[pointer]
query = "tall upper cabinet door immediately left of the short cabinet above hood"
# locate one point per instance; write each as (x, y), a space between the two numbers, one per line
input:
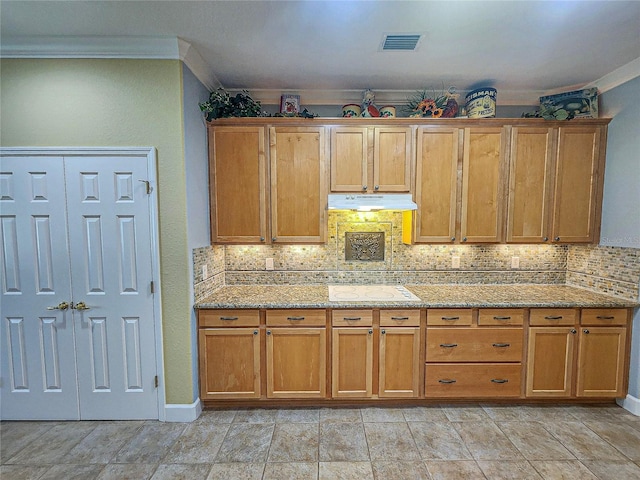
(298, 185)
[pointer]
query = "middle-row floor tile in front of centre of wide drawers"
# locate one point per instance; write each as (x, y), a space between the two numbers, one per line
(486, 441)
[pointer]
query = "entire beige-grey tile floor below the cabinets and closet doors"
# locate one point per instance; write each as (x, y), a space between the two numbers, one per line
(438, 442)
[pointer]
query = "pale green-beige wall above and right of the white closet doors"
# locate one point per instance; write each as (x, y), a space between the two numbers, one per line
(110, 102)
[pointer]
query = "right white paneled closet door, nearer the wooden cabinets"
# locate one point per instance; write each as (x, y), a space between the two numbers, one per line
(111, 268)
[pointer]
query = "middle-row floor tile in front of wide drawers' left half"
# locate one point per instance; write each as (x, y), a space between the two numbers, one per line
(438, 441)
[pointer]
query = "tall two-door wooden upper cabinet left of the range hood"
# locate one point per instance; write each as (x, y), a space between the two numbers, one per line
(274, 196)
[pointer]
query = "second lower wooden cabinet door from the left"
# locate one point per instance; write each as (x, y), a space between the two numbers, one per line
(296, 362)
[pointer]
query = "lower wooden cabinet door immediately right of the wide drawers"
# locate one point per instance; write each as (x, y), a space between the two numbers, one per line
(550, 361)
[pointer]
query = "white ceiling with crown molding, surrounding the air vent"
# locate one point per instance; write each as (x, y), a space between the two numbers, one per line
(522, 48)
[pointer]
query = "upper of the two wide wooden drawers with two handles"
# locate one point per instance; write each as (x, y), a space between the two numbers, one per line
(474, 344)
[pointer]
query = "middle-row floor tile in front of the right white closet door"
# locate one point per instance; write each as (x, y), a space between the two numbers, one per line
(103, 443)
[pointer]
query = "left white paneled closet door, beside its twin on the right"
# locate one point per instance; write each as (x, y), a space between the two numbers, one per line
(38, 354)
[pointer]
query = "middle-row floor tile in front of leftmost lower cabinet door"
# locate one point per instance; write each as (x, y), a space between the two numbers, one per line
(246, 442)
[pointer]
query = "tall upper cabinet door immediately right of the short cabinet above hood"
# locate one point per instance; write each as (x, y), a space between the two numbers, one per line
(436, 185)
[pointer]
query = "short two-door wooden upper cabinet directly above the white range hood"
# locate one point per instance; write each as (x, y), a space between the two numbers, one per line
(371, 159)
